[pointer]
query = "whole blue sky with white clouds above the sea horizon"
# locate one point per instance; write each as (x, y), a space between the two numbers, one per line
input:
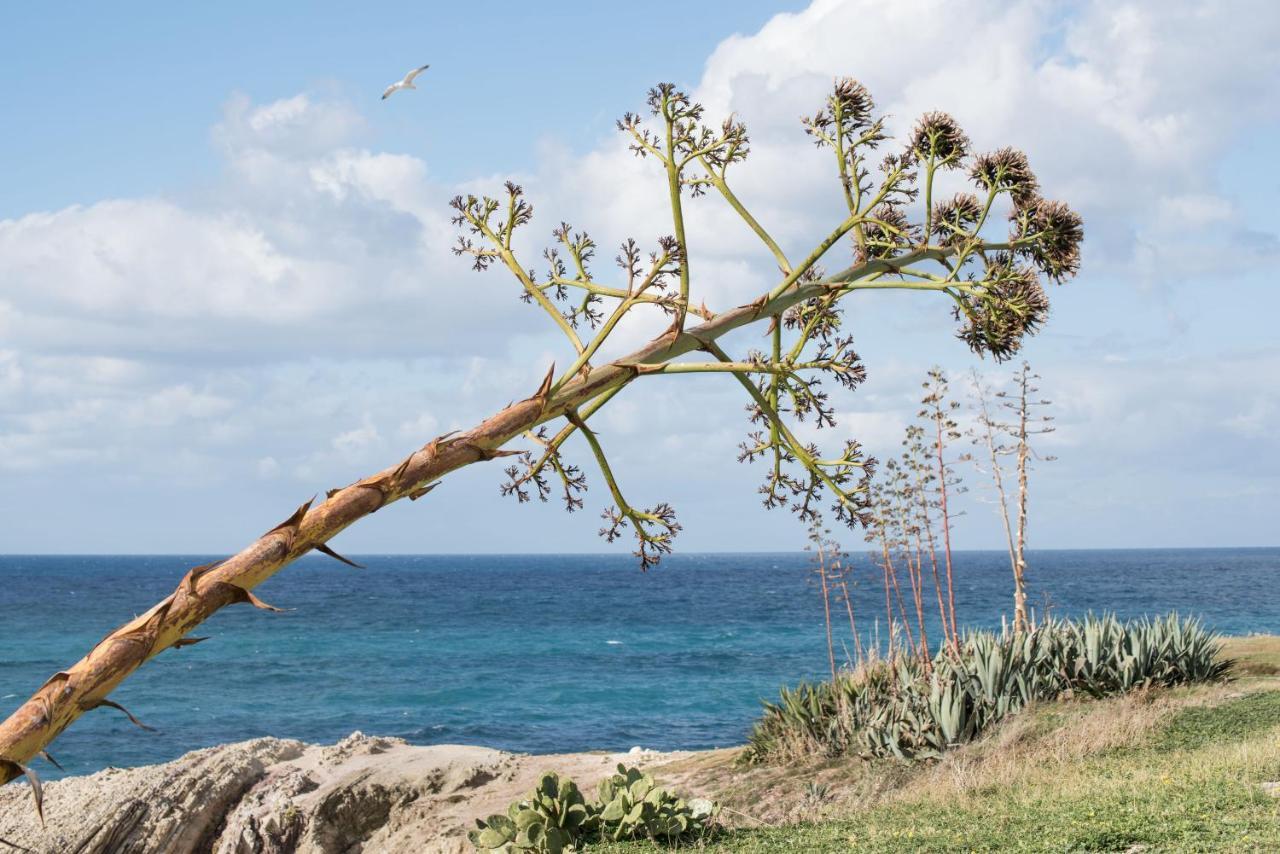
(226, 280)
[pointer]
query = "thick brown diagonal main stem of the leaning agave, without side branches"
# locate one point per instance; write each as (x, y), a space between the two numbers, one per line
(86, 684)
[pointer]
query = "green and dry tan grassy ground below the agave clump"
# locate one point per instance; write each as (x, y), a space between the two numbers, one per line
(1177, 770)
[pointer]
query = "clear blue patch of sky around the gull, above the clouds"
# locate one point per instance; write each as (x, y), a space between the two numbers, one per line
(115, 103)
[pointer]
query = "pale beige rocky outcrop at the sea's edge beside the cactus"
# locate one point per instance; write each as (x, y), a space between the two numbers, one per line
(271, 796)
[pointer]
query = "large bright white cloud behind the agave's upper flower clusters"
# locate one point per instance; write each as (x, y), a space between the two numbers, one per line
(1127, 111)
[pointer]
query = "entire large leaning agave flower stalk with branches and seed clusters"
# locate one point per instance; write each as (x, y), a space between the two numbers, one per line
(991, 275)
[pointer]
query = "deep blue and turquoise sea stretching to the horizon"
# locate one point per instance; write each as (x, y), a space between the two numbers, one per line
(537, 654)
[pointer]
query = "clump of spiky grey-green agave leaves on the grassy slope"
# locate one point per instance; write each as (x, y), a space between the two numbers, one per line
(915, 710)
